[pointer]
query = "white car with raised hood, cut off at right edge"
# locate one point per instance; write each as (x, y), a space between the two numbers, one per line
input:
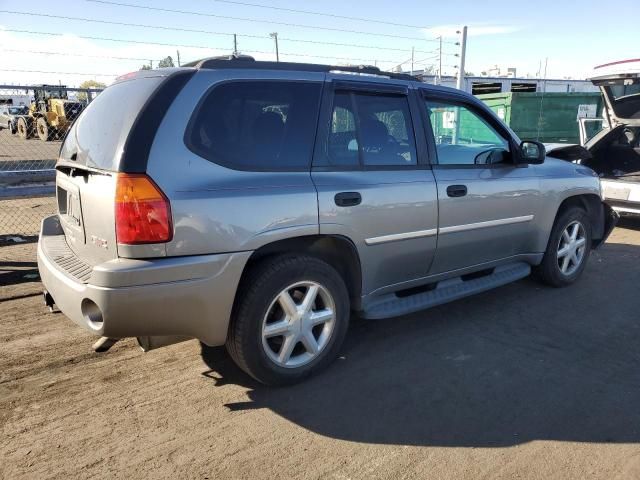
(614, 152)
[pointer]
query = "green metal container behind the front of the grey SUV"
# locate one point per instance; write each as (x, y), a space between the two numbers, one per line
(546, 117)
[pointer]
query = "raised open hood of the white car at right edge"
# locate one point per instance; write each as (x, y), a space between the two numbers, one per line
(620, 86)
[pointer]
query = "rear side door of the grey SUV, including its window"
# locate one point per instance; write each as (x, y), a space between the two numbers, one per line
(374, 184)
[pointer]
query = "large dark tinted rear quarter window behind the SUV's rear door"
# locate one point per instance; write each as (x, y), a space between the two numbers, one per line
(257, 125)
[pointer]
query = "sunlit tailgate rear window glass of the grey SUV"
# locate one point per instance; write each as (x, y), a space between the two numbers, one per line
(99, 134)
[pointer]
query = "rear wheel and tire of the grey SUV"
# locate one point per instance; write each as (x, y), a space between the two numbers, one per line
(260, 329)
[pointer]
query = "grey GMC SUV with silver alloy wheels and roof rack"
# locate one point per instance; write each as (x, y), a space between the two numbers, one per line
(257, 204)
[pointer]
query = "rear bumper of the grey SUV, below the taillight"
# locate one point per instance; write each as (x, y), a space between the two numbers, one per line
(187, 296)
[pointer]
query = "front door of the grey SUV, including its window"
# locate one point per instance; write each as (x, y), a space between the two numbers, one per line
(487, 203)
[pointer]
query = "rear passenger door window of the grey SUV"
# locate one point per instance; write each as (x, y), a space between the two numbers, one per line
(371, 130)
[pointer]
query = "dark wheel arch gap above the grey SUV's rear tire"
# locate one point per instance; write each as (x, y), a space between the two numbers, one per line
(336, 250)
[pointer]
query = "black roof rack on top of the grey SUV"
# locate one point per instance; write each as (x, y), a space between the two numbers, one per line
(246, 61)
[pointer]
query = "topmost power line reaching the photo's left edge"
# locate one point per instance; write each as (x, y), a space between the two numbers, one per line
(208, 32)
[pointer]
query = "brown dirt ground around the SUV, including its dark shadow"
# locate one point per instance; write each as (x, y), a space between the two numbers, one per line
(521, 382)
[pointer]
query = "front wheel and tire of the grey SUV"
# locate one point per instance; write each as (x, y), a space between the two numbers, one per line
(555, 270)
